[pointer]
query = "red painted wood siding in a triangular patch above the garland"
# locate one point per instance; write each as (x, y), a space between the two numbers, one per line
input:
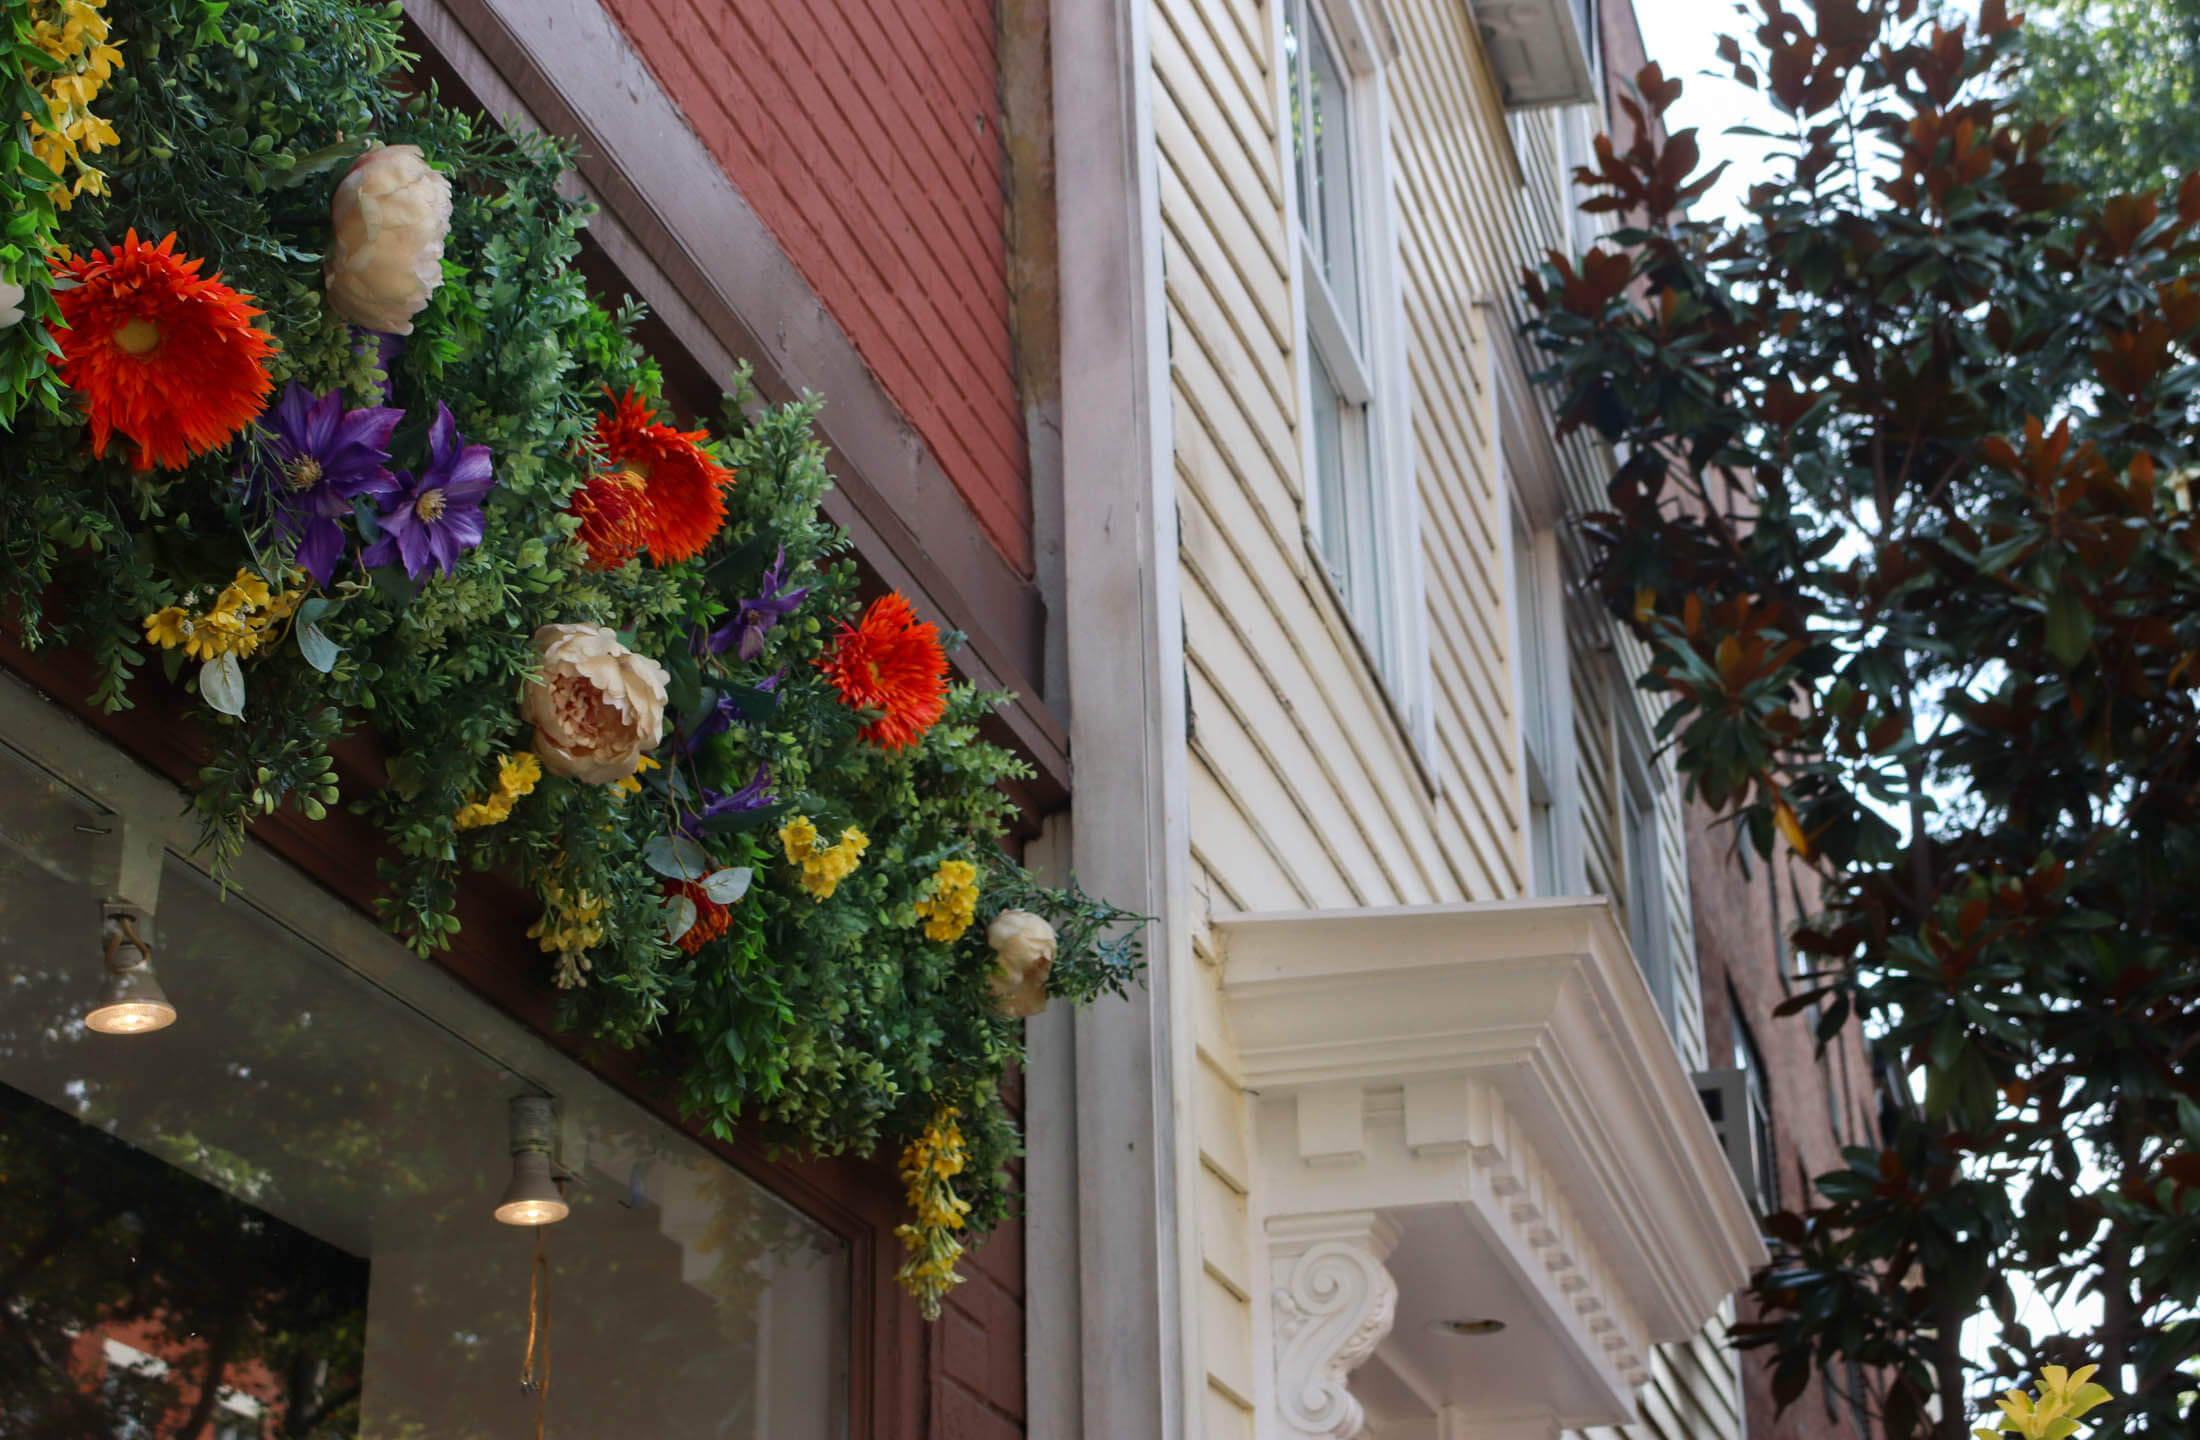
(868, 137)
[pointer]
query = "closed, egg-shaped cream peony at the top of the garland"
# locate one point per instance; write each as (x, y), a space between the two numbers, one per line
(386, 247)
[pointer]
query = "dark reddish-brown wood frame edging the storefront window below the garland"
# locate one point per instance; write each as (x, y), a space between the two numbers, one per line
(859, 1201)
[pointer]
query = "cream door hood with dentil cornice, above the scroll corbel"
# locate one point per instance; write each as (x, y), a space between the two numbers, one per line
(1497, 1085)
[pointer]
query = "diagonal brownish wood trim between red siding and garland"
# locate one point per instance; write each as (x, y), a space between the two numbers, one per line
(892, 496)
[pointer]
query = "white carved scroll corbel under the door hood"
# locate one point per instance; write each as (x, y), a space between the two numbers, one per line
(1334, 1303)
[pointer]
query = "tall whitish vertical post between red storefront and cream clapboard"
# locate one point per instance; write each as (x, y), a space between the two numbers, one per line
(1127, 740)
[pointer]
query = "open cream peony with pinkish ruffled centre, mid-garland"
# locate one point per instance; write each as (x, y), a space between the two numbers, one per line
(597, 707)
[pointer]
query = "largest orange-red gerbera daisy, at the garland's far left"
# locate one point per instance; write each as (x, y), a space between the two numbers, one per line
(159, 353)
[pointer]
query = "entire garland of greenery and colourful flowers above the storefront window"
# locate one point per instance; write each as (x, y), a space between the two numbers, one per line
(335, 439)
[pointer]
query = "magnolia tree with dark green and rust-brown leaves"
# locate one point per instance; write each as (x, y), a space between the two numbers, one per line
(1904, 516)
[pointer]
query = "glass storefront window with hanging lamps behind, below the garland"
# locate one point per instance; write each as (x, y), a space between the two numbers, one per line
(274, 1219)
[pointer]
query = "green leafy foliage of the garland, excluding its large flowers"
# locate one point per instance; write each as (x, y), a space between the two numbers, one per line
(835, 1017)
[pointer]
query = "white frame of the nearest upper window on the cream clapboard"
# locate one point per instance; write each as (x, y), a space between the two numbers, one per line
(1383, 610)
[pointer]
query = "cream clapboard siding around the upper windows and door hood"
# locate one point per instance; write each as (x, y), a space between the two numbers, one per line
(1303, 786)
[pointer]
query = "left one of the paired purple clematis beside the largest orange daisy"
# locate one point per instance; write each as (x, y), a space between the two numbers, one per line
(316, 461)
